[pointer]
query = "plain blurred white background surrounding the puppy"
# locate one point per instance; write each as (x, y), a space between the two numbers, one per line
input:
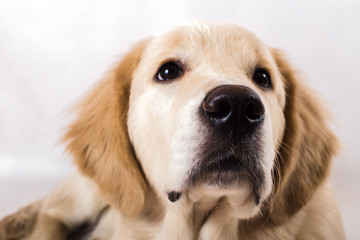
(52, 51)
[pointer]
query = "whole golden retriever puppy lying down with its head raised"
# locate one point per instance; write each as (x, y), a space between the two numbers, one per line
(201, 133)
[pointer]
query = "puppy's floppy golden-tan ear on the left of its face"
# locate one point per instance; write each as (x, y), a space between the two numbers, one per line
(98, 139)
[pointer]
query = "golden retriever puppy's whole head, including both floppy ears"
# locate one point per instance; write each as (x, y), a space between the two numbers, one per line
(204, 111)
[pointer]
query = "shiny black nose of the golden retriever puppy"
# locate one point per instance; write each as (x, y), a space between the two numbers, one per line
(233, 109)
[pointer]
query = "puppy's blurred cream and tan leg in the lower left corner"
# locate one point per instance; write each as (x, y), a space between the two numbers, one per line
(74, 202)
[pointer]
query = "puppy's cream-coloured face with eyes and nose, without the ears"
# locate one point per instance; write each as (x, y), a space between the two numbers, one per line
(206, 114)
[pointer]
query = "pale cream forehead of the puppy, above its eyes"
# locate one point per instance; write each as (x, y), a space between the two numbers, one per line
(215, 43)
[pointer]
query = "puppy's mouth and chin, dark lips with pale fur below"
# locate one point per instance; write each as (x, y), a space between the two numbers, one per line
(227, 180)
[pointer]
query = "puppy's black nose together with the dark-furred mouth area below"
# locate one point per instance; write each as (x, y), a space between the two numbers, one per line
(232, 148)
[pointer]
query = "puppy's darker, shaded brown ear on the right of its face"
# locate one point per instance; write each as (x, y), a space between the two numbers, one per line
(307, 147)
